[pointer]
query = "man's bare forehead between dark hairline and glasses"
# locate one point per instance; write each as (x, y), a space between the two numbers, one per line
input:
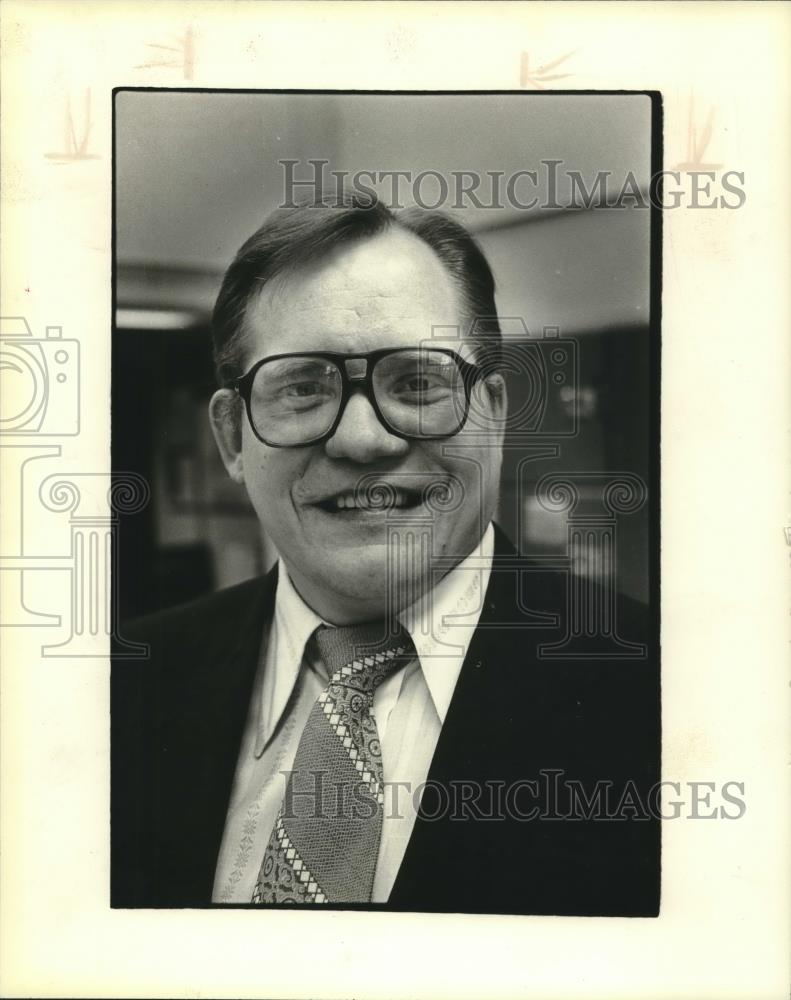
(387, 291)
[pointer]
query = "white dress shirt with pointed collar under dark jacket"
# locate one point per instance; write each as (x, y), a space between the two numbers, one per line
(409, 708)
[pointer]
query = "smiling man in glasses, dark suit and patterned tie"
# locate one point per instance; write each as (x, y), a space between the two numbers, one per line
(376, 722)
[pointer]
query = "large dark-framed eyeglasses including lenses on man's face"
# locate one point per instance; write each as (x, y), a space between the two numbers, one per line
(299, 399)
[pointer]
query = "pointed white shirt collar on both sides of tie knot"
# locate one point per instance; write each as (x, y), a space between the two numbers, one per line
(441, 625)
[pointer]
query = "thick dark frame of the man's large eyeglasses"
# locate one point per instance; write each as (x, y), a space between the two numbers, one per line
(363, 382)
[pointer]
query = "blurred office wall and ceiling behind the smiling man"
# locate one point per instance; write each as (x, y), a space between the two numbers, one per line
(196, 173)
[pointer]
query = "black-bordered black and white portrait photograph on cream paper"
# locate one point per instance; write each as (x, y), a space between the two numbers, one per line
(389, 626)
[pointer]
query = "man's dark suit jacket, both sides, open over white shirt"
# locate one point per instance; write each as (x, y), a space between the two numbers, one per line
(520, 712)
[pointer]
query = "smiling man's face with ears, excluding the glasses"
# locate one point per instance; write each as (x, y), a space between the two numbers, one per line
(387, 291)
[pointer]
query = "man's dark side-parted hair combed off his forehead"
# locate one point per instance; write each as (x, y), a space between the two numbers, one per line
(296, 235)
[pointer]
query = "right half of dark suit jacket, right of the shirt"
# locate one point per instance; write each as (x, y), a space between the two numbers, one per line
(517, 718)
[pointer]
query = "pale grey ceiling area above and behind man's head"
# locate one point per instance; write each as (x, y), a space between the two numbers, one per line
(197, 172)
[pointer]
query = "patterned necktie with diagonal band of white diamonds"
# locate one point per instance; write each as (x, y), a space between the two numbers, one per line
(325, 842)
